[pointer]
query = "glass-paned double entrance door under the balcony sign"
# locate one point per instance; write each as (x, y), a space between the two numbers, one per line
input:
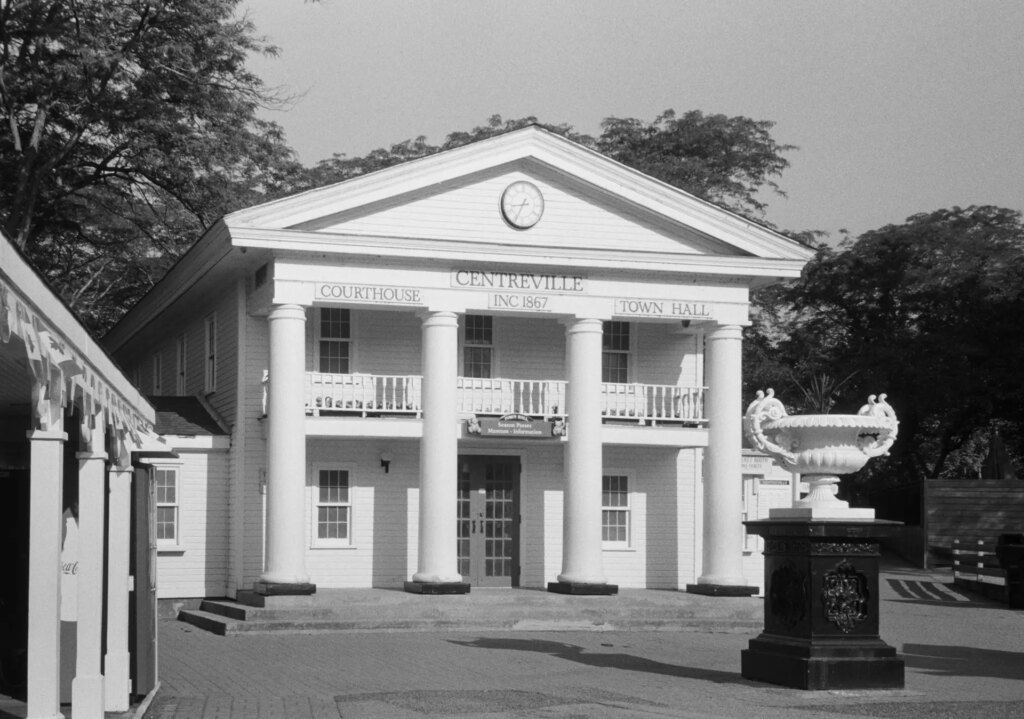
(489, 521)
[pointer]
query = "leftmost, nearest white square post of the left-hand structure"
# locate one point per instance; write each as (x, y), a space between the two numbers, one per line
(47, 495)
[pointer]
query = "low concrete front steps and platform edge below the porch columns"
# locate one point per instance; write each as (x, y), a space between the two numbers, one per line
(484, 610)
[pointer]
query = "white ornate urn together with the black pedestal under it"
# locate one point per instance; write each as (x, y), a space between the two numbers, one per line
(822, 557)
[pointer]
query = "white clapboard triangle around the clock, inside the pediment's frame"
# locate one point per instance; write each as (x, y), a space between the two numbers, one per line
(571, 221)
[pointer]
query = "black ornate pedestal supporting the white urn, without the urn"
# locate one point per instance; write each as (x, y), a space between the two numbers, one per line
(822, 608)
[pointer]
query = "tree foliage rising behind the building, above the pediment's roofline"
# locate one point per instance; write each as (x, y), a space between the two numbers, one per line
(724, 160)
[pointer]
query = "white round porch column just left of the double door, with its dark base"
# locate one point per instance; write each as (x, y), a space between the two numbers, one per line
(438, 567)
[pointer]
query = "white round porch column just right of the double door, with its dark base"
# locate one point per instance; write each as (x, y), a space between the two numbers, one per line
(582, 573)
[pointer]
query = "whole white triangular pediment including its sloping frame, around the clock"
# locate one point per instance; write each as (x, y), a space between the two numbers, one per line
(590, 202)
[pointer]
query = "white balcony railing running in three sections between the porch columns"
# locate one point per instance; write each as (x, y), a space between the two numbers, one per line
(401, 395)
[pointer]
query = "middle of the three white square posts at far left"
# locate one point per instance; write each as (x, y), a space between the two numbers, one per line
(88, 688)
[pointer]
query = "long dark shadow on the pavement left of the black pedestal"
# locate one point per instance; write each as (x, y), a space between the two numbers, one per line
(573, 653)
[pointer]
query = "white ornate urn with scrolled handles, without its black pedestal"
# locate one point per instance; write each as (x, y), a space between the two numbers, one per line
(821, 448)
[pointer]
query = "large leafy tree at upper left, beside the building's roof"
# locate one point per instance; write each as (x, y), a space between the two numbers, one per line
(130, 126)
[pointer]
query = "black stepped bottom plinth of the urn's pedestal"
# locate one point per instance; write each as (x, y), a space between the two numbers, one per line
(859, 665)
